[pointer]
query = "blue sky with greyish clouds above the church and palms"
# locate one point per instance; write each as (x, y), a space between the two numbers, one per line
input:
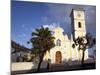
(27, 16)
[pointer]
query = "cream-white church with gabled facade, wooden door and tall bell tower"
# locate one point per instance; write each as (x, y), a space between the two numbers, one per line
(63, 50)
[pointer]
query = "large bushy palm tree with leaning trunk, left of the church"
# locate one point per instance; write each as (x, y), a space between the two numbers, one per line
(42, 41)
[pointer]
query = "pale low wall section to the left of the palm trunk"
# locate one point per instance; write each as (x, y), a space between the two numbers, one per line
(18, 66)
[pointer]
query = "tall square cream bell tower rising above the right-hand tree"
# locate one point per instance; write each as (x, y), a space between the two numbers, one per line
(78, 23)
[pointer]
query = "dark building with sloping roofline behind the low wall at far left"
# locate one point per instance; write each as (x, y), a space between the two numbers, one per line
(18, 52)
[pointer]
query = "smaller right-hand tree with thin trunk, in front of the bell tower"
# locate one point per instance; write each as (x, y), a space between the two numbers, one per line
(83, 43)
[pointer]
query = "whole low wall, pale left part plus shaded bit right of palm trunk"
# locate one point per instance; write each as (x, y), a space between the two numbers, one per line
(18, 66)
